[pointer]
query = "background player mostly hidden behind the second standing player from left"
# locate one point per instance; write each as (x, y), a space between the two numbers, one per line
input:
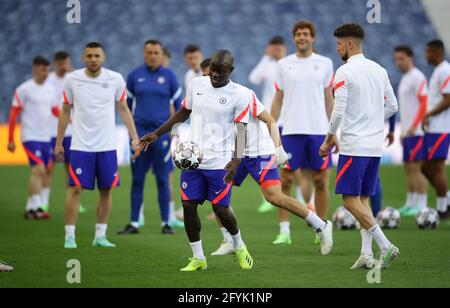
(62, 66)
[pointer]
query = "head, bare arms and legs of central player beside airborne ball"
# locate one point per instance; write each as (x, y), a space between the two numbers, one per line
(221, 67)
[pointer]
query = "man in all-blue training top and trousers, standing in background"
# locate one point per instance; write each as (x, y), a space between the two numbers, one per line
(152, 89)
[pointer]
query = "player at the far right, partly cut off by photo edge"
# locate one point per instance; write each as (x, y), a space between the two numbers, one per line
(436, 124)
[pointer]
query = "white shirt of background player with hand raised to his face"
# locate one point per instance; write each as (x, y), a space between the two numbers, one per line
(264, 74)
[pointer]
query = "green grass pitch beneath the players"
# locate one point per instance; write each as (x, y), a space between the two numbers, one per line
(153, 260)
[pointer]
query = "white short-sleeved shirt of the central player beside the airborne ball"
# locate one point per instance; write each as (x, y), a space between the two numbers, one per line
(214, 114)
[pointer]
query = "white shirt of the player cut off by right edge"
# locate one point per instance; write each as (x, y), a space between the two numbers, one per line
(439, 85)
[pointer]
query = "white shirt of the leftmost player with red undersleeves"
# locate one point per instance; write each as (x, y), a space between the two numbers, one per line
(36, 102)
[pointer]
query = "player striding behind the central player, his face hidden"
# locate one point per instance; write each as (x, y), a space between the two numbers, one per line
(261, 159)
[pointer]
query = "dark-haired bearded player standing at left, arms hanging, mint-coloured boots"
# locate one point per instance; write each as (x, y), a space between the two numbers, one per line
(92, 94)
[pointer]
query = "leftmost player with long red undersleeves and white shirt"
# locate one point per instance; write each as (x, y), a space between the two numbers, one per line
(36, 100)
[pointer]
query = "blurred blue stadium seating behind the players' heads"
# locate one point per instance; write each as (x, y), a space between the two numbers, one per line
(40, 27)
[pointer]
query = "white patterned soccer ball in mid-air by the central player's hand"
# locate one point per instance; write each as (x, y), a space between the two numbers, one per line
(187, 156)
